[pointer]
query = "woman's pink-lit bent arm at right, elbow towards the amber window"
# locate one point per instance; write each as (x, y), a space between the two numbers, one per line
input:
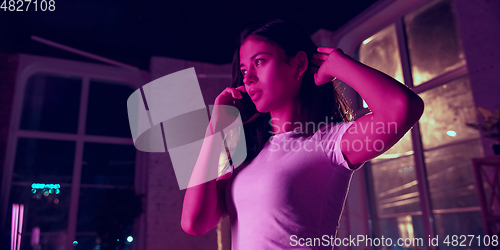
(394, 107)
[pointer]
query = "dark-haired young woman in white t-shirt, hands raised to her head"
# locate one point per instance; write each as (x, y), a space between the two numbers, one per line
(302, 145)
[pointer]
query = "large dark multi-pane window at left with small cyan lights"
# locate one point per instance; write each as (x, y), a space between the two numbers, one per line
(73, 154)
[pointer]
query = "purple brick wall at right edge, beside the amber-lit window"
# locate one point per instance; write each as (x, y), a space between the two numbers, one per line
(479, 26)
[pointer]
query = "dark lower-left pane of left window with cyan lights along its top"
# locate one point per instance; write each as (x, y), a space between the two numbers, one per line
(47, 211)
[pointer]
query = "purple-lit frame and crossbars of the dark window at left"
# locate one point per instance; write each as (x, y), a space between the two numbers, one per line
(29, 65)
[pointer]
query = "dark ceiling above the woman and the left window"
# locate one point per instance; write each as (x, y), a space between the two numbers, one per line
(132, 31)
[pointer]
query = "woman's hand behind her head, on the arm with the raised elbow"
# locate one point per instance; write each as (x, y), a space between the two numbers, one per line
(326, 64)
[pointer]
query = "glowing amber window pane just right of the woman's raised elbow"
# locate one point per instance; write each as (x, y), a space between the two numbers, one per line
(447, 109)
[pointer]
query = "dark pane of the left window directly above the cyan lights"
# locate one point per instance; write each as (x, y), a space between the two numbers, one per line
(46, 161)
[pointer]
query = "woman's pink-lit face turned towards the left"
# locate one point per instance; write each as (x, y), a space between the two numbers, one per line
(269, 80)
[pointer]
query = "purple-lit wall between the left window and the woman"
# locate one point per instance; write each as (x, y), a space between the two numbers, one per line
(164, 199)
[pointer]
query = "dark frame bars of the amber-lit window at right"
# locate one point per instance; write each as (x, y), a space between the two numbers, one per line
(349, 37)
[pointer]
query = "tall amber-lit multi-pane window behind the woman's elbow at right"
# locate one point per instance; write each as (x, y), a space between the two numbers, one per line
(437, 73)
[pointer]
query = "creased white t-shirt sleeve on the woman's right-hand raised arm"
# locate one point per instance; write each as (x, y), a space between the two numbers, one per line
(331, 140)
